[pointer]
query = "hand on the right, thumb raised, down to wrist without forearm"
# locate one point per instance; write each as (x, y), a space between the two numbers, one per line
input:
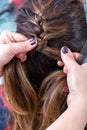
(76, 76)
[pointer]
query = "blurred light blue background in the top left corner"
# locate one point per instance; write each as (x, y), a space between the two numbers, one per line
(7, 14)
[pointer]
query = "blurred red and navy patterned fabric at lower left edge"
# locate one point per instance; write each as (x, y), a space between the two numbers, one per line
(5, 114)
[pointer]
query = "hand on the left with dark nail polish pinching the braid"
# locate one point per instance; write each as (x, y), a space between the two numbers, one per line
(14, 44)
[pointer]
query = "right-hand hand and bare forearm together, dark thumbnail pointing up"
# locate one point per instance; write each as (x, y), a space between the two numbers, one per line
(75, 117)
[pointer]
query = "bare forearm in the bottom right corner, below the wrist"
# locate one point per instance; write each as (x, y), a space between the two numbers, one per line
(74, 118)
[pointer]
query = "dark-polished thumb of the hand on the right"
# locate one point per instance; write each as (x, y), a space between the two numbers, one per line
(68, 58)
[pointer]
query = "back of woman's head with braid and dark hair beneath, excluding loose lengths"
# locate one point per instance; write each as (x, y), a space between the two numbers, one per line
(54, 23)
